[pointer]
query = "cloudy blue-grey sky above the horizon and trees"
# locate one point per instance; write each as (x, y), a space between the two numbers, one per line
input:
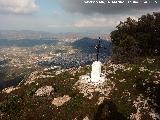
(60, 16)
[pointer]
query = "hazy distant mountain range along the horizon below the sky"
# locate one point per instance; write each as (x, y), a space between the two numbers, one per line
(28, 34)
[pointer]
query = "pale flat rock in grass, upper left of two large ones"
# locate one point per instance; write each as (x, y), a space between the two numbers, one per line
(45, 90)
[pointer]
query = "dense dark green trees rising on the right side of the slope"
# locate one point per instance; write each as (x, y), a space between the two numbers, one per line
(136, 38)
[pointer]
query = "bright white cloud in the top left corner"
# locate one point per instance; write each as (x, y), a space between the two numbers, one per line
(18, 6)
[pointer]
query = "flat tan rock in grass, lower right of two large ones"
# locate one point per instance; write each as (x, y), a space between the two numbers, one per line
(61, 100)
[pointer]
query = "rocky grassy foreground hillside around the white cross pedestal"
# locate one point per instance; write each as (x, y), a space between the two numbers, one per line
(131, 91)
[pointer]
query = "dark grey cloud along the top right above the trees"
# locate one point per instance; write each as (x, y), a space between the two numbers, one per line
(79, 6)
